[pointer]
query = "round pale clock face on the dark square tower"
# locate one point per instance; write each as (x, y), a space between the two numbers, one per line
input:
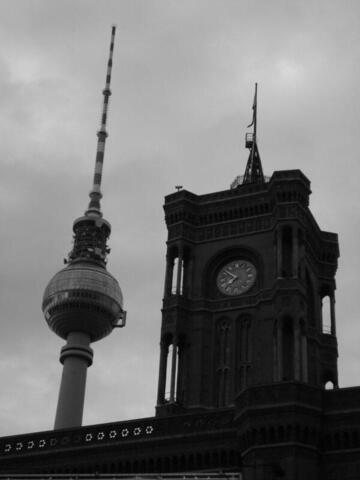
(236, 277)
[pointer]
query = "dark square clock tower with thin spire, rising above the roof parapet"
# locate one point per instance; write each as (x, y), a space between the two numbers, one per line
(249, 295)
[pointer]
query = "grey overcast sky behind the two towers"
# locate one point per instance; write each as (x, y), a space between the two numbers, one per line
(183, 83)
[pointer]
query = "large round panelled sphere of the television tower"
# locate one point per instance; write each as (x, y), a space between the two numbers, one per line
(83, 297)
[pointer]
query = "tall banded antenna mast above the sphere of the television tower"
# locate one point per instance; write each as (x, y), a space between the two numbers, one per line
(94, 208)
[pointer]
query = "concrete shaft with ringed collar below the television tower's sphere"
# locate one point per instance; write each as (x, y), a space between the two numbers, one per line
(76, 356)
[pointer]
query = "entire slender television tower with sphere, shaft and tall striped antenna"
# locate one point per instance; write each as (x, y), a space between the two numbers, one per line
(83, 302)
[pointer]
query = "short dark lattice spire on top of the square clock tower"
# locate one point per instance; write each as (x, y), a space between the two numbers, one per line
(253, 171)
